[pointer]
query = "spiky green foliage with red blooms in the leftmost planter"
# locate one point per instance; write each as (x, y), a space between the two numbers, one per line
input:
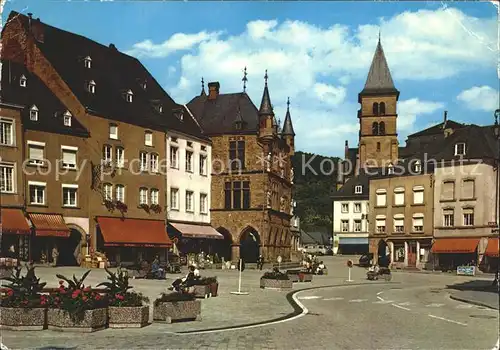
(24, 291)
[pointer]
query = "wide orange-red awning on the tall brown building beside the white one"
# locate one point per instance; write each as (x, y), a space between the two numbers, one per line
(118, 232)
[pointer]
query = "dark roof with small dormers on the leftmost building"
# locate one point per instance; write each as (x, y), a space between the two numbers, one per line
(50, 109)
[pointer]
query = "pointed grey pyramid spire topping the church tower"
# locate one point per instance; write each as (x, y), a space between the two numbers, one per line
(379, 77)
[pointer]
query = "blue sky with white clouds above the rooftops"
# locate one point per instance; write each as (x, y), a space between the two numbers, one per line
(442, 55)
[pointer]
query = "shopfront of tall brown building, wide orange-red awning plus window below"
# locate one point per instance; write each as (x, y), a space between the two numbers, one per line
(132, 240)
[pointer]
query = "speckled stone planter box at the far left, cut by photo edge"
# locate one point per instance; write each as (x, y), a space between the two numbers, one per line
(21, 319)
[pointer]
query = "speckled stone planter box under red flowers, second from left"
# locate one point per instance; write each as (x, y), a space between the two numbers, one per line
(93, 320)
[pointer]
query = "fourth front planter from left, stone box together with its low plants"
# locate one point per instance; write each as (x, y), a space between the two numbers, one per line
(176, 307)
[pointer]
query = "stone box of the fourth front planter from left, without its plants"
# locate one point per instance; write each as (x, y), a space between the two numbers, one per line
(177, 311)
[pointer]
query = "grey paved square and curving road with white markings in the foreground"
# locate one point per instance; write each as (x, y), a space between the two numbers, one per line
(413, 311)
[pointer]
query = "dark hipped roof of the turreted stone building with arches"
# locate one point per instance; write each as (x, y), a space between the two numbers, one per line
(218, 116)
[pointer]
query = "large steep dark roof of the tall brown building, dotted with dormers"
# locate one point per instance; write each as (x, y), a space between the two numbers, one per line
(114, 73)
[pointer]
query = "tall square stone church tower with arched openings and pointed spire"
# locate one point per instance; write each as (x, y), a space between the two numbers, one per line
(378, 139)
